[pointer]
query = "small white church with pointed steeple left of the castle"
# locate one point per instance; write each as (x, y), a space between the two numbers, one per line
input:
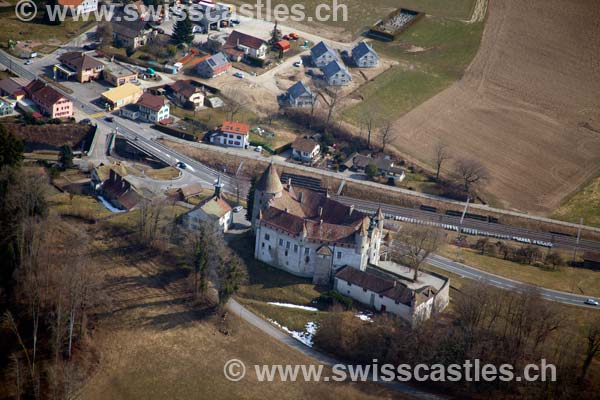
(214, 210)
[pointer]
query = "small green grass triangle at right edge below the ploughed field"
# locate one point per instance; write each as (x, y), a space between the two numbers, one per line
(584, 204)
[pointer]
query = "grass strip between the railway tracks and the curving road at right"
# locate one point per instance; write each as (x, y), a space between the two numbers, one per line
(568, 279)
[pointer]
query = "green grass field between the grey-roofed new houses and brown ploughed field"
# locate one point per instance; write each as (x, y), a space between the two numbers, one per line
(433, 54)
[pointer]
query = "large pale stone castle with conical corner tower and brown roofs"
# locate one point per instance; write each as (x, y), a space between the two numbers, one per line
(308, 234)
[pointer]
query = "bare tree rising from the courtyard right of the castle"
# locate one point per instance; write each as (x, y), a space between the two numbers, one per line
(415, 243)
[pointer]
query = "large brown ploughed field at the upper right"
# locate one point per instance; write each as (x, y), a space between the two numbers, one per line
(528, 106)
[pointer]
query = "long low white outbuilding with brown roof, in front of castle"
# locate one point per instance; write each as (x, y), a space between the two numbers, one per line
(386, 292)
